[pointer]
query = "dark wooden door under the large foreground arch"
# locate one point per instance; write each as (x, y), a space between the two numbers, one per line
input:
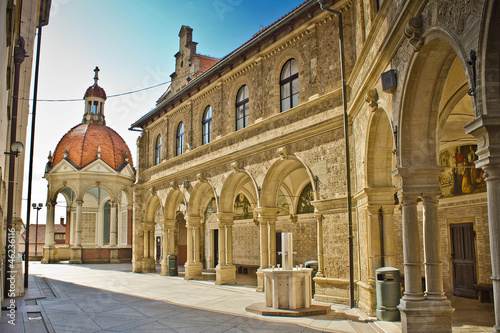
(463, 259)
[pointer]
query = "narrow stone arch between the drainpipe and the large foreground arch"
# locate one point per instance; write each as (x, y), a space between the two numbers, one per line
(379, 154)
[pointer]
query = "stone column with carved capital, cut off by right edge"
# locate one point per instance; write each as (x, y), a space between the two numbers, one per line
(487, 131)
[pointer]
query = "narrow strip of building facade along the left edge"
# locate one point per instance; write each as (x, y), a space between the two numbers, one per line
(20, 20)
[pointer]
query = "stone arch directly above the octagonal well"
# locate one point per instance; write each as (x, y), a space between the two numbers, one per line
(279, 172)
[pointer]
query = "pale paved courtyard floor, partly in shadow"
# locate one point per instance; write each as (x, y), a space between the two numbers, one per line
(110, 298)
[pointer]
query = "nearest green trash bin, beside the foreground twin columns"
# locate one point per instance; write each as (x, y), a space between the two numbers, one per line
(388, 291)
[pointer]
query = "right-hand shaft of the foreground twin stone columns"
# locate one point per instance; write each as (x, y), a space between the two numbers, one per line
(432, 250)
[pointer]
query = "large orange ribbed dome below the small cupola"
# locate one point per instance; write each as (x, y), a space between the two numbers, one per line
(81, 145)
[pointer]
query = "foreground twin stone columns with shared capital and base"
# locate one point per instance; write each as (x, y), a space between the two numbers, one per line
(432, 312)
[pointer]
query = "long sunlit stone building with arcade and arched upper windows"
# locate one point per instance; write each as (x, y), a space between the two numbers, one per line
(263, 129)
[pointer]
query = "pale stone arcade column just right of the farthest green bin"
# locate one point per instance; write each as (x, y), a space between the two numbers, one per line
(193, 266)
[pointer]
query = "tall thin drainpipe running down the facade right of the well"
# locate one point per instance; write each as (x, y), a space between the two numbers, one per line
(347, 154)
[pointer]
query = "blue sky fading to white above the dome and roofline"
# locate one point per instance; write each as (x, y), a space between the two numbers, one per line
(133, 43)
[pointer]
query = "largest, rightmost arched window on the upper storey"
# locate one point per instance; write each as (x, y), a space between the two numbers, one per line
(289, 85)
